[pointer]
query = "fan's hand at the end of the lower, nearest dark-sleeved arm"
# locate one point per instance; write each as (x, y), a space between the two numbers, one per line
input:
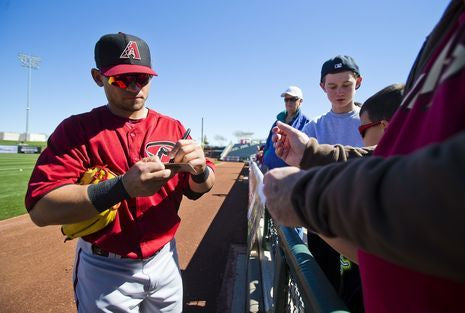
(278, 186)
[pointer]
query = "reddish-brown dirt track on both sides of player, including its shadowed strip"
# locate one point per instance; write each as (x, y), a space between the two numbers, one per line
(36, 266)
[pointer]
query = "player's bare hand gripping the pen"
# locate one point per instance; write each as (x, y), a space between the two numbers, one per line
(189, 151)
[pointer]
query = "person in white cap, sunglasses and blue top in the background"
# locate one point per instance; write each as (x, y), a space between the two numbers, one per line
(292, 115)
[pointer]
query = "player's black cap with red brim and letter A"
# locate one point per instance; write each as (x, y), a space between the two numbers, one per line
(121, 53)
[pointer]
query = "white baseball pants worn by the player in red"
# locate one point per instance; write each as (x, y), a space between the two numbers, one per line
(114, 284)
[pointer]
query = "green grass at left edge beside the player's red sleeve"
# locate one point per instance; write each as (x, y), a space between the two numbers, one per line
(15, 171)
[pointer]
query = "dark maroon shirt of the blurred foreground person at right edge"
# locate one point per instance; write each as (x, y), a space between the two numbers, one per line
(432, 111)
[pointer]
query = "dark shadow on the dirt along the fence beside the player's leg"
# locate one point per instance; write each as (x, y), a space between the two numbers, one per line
(203, 276)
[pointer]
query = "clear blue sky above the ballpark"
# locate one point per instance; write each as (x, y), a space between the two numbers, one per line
(225, 61)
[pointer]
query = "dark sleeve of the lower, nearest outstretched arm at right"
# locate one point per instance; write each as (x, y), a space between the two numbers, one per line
(398, 211)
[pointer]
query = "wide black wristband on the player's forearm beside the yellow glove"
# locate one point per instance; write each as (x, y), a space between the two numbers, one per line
(107, 193)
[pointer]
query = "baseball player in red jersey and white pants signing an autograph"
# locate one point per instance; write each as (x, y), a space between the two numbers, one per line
(131, 264)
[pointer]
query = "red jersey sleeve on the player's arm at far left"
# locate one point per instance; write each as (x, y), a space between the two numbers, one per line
(61, 163)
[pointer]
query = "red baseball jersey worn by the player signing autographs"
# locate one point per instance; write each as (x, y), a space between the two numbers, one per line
(143, 225)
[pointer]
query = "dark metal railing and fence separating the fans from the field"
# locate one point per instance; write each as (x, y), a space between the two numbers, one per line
(290, 278)
